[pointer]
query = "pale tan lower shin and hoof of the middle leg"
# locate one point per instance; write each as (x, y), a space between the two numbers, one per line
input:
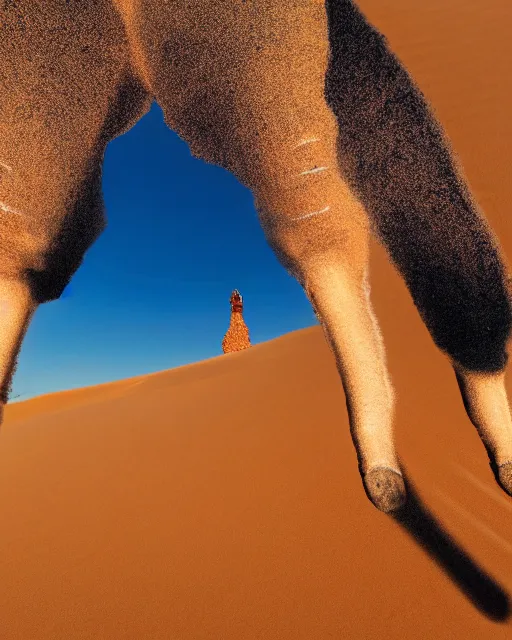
(342, 303)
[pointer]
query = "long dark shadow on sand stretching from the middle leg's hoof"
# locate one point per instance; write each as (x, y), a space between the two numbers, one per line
(485, 593)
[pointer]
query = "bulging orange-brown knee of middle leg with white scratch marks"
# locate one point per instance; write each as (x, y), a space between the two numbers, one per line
(309, 215)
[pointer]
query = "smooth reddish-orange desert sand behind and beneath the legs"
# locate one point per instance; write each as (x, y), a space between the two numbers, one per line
(222, 500)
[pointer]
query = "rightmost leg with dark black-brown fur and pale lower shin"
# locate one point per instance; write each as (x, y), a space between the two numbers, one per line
(397, 160)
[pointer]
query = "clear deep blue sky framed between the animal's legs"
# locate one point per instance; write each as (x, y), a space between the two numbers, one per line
(153, 292)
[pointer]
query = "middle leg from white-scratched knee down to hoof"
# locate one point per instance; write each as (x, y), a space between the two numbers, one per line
(320, 233)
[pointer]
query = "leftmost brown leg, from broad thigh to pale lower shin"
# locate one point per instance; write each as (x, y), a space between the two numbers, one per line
(57, 114)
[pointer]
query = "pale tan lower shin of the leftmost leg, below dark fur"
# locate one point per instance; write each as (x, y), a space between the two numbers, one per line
(16, 310)
